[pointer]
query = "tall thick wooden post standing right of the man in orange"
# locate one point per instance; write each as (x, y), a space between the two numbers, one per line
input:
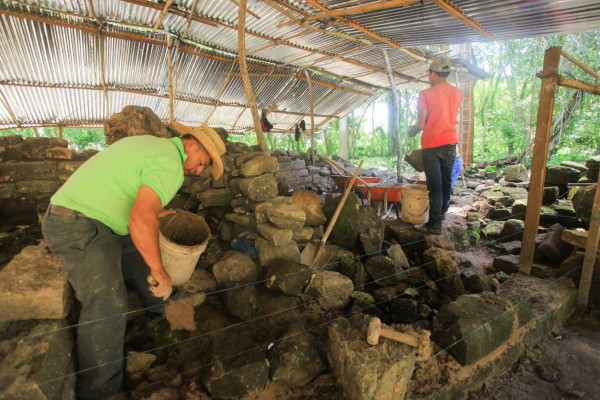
(540, 156)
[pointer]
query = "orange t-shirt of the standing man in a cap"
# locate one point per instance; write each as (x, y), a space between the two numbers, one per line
(441, 102)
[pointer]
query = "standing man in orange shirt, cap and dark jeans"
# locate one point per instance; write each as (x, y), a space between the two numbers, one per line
(437, 110)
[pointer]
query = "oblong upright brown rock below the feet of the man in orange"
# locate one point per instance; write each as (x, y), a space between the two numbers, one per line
(442, 266)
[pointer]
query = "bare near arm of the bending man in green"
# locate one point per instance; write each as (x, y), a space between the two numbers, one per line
(143, 227)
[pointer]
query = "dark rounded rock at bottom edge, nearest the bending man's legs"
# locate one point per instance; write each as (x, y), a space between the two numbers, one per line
(235, 366)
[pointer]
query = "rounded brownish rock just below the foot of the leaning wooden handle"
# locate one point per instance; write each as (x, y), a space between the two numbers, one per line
(332, 290)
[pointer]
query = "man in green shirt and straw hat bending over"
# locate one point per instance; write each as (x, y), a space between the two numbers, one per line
(103, 223)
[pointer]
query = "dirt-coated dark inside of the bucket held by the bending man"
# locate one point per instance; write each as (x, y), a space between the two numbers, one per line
(184, 228)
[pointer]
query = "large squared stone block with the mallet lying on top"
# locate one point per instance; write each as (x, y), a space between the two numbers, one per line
(351, 360)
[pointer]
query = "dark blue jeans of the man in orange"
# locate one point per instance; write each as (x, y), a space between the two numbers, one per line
(438, 163)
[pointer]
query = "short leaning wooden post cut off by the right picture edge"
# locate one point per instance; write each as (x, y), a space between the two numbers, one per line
(590, 252)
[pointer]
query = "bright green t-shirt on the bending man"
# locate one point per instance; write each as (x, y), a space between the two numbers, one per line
(105, 186)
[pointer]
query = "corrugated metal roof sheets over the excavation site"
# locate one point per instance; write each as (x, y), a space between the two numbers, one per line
(62, 59)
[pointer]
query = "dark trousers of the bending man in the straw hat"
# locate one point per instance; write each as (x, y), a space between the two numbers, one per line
(98, 263)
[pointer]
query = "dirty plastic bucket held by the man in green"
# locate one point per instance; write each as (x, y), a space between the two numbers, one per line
(183, 237)
